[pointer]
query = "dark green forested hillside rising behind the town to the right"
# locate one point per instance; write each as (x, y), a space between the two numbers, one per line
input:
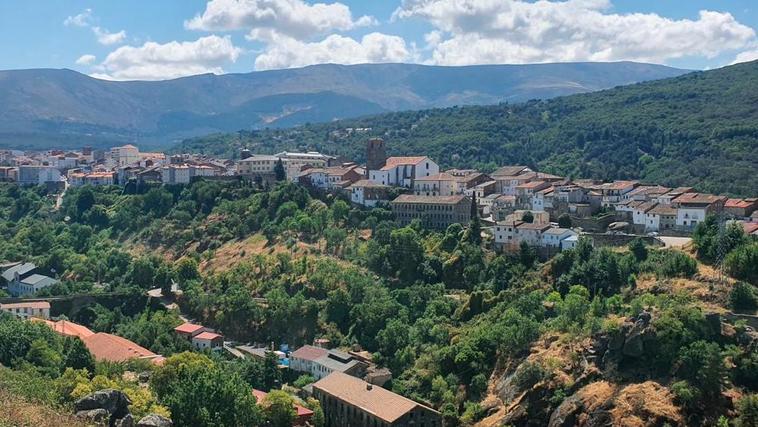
(700, 130)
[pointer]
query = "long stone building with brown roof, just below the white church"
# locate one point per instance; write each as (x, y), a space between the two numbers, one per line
(436, 212)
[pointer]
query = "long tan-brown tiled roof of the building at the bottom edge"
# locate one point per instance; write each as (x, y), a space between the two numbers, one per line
(375, 400)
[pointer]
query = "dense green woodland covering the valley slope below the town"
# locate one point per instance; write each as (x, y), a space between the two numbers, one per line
(449, 316)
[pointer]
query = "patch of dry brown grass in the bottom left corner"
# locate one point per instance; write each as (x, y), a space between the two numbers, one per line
(20, 413)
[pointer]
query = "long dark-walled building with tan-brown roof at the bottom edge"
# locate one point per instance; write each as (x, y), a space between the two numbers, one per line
(350, 402)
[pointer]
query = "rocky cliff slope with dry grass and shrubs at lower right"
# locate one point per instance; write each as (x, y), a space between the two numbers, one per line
(599, 381)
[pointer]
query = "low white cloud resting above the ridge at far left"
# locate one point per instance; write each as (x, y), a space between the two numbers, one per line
(154, 61)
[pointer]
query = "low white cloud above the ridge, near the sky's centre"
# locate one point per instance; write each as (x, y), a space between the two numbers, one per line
(287, 52)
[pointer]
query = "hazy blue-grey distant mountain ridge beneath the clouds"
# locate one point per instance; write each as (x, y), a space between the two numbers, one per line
(46, 107)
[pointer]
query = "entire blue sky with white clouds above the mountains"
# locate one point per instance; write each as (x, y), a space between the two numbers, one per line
(163, 39)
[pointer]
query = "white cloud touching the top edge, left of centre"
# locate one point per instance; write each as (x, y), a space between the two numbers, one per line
(293, 18)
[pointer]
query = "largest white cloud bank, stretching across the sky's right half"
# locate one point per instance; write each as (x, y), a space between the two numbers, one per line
(514, 31)
